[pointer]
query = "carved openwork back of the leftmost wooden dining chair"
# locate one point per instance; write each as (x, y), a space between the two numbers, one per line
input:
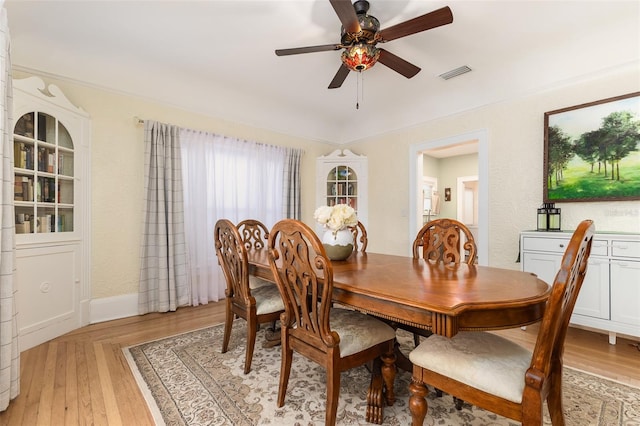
(232, 256)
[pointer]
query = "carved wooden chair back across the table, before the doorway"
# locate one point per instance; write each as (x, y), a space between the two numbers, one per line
(440, 242)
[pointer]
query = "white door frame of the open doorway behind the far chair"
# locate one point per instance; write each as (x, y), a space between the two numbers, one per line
(453, 144)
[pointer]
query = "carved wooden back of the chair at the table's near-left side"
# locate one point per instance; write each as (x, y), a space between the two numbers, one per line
(305, 279)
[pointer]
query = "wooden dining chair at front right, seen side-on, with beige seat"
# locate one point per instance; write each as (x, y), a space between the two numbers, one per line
(494, 373)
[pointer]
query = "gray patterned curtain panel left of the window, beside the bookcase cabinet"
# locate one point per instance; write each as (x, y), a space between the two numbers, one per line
(163, 266)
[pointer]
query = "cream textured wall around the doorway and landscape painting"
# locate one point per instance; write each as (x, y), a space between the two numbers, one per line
(515, 132)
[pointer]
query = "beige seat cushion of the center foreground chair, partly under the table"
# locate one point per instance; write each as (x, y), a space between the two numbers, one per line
(358, 331)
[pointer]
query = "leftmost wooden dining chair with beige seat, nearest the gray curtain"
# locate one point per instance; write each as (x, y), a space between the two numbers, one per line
(255, 305)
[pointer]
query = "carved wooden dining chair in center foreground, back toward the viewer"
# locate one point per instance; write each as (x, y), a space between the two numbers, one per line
(337, 339)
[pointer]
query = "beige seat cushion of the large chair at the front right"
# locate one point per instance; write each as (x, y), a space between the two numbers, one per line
(483, 360)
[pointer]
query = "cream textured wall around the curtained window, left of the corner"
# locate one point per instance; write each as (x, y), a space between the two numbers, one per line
(117, 175)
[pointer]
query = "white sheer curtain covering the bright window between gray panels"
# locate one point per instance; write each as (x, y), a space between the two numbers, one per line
(231, 179)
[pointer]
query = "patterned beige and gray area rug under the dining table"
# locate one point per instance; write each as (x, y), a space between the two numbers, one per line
(187, 381)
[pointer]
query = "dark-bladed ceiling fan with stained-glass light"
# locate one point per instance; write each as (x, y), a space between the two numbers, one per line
(361, 33)
